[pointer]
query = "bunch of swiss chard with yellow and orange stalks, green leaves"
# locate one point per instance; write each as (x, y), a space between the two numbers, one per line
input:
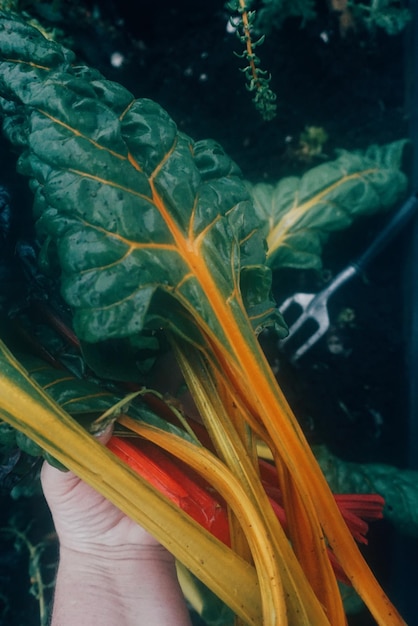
(156, 239)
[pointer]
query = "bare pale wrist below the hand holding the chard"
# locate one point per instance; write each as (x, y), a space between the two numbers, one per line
(118, 586)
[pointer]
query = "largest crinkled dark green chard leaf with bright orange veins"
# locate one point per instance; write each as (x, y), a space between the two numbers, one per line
(126, 199)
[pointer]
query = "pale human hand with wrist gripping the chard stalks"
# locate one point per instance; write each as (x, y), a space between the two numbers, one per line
(111, 570)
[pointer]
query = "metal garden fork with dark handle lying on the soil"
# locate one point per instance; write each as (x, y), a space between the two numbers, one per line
(314, 307)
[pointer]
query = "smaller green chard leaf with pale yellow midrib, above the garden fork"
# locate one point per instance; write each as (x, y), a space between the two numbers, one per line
(299, 214)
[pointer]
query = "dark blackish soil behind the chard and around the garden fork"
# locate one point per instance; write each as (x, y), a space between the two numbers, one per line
(357, 88)
